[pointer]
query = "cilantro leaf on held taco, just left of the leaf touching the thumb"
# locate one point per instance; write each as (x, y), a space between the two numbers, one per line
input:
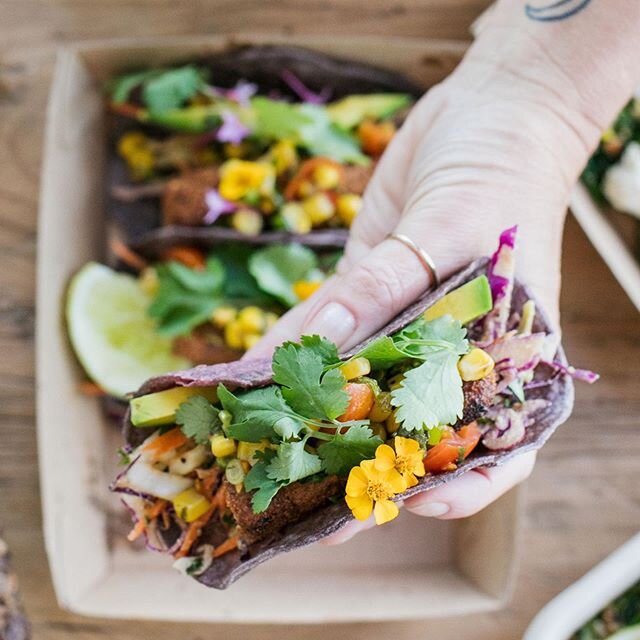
(259, 413)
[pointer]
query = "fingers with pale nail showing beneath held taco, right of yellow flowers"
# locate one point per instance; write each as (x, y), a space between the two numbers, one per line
(472, 492)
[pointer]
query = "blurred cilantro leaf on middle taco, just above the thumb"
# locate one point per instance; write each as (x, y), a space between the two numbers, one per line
(278, 267)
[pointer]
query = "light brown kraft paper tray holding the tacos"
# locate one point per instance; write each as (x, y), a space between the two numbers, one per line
(411, 568)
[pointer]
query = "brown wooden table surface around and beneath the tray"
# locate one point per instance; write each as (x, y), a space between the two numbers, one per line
(584, 496)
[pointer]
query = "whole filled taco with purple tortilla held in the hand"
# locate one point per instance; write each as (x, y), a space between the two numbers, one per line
(233, 464)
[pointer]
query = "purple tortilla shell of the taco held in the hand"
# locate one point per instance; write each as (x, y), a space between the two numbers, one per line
(556, 388)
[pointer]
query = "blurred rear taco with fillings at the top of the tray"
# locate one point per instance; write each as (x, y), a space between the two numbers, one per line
(258, 143)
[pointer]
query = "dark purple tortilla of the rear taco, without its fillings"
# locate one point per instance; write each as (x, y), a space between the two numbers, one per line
(138, 222)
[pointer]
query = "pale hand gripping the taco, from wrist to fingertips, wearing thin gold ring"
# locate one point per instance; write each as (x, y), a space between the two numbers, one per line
(471, 160)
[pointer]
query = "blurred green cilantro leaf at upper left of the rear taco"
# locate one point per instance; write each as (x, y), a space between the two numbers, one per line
(170, 89)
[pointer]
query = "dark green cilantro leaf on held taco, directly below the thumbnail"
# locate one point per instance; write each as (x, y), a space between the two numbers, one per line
(308, 392)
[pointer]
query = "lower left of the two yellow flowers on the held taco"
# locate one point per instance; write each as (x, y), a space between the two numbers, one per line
(366, 487)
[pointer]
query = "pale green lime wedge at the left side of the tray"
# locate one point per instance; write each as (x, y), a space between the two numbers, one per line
(111, 333)
